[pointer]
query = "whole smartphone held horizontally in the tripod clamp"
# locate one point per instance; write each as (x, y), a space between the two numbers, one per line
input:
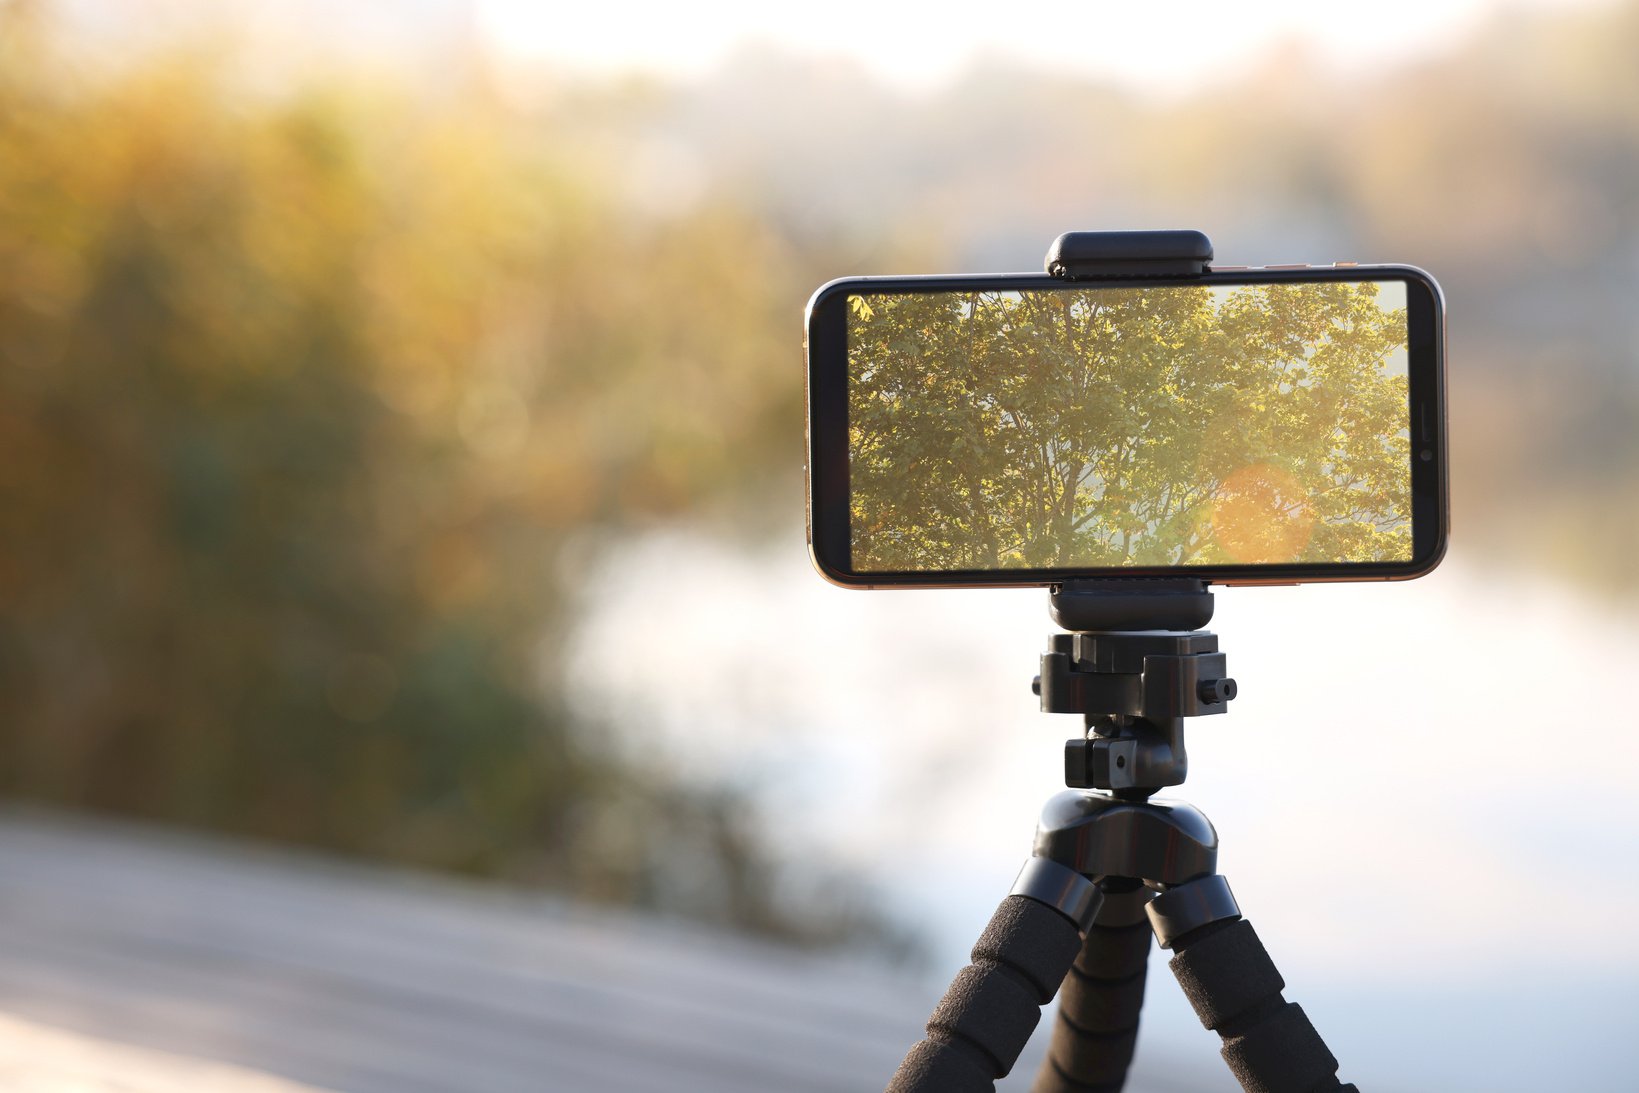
(1240, 427)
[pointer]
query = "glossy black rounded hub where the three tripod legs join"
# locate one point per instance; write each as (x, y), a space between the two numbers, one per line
(1156, 841)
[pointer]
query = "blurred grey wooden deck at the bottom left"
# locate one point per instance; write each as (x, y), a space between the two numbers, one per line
(135, 961)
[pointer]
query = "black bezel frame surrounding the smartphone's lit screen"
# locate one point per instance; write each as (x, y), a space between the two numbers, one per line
(830, 543)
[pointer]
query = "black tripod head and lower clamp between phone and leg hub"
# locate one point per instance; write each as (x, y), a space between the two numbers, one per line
(1135, 666)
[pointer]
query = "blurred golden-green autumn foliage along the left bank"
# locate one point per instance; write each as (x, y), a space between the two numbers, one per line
(301, 402)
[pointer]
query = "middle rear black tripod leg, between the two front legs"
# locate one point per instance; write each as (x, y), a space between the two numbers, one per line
(1099, 1004)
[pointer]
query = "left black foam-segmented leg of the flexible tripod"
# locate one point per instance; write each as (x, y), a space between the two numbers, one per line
(981, 1027)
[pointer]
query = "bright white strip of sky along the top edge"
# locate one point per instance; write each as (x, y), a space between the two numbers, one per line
(1171, 43)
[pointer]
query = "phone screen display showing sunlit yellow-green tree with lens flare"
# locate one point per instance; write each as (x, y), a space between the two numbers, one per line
(1171, 425)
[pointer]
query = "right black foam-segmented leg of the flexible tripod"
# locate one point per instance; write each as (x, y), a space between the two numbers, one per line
(1235, 989)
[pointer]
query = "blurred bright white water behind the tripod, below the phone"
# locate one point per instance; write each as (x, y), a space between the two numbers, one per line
(1423, 791)
